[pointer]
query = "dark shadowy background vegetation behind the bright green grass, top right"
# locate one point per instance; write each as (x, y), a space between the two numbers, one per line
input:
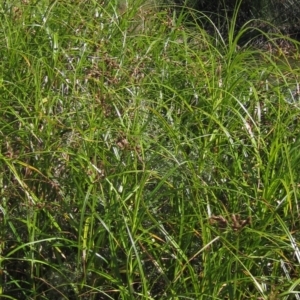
(284, 14)
